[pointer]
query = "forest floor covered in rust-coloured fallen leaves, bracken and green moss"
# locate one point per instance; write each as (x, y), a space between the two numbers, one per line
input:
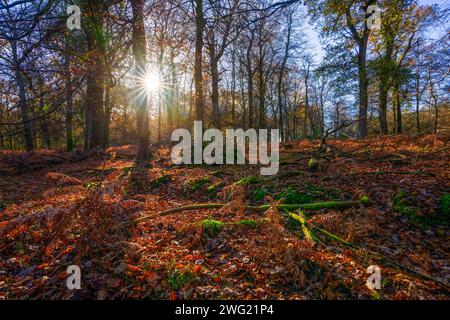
(81, 213)
